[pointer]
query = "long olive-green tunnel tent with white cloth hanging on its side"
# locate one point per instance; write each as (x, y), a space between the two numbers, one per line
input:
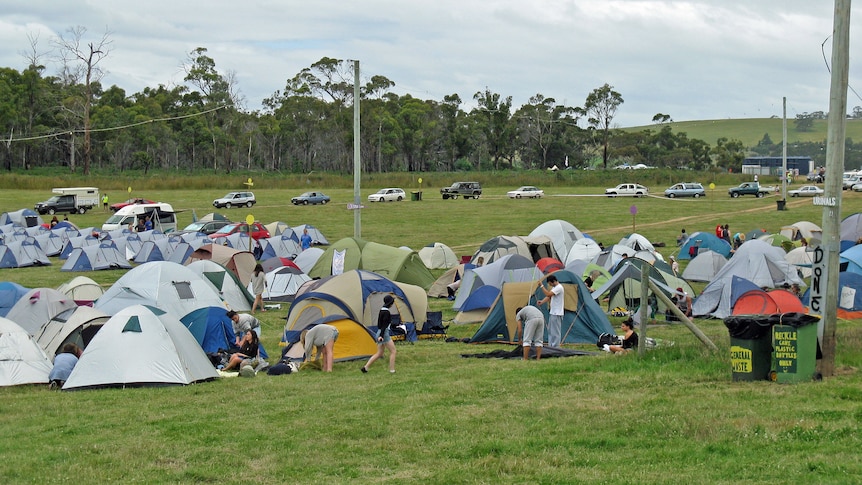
(394, 263)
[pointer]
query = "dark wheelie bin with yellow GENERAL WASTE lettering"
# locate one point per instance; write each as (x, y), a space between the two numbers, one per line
(750, 347)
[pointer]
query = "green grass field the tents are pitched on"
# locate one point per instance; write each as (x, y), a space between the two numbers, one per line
(673, 416)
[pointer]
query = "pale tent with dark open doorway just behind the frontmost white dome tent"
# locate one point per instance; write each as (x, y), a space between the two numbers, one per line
(76, 325)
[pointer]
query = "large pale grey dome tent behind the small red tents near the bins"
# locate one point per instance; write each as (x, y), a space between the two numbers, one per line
(756, 261)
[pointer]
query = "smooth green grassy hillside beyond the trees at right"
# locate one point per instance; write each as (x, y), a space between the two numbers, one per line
(751, 130)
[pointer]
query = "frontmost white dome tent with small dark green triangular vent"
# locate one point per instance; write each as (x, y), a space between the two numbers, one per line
(141, 346)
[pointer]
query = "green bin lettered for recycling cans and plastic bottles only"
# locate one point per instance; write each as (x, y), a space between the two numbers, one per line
(794, 348)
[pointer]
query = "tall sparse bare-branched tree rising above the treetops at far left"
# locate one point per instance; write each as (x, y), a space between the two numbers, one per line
(80, 69)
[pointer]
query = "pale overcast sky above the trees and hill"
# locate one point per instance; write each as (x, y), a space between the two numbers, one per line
(693, 60)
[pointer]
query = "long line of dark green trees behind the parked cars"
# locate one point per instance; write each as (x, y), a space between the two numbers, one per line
(70, 120)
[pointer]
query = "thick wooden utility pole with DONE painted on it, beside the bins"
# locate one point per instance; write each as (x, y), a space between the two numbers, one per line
(831, 201)
